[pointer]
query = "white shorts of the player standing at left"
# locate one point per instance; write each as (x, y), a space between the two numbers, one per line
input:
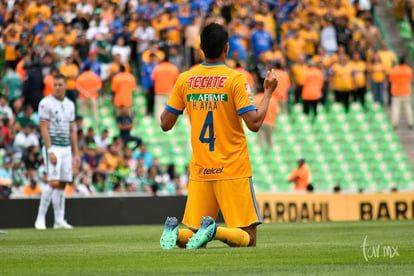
(62, 170)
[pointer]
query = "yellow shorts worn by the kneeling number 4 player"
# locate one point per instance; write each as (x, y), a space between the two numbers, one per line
(234, 197)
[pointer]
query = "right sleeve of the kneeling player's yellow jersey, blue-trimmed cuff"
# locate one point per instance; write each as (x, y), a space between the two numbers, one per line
(242, 94)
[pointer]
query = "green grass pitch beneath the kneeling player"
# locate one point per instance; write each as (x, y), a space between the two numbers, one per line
(321, 248)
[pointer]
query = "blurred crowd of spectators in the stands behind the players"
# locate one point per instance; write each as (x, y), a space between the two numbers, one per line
(109, 37)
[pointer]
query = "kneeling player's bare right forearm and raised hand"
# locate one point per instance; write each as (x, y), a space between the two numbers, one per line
(254, 118)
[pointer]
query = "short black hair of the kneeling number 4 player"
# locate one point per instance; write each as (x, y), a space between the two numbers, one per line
(213, 39)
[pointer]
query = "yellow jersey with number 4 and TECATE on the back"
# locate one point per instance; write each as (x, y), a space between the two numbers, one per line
(215, 96)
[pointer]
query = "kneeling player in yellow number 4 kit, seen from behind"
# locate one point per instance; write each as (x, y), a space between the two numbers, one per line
(216, 98)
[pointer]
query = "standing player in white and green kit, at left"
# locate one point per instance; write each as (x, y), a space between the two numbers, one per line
(57, 128)
